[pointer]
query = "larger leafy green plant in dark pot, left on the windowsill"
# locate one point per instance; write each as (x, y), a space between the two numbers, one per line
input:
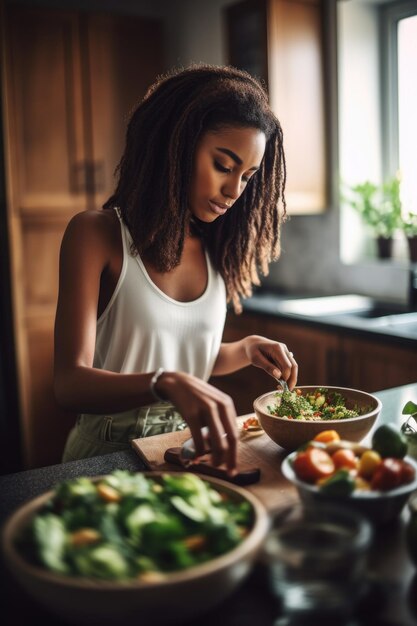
(380, 210)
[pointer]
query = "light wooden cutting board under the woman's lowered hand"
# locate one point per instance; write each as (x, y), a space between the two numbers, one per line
(254, 450)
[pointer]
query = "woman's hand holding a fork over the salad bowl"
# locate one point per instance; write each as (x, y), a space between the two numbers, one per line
(272, 356)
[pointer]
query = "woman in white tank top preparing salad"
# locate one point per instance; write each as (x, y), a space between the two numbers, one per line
(144, 282)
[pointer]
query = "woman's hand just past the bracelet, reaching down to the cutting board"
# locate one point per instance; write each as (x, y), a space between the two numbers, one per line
(201, 404)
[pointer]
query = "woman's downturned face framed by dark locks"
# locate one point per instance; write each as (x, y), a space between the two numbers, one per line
(224, 162)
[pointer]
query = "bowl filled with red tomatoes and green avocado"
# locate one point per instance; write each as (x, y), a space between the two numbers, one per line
(377, 481)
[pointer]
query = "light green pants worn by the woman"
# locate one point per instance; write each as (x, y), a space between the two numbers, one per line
(94, 435)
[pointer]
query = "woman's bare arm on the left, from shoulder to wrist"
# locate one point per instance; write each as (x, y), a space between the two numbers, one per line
(85, 255)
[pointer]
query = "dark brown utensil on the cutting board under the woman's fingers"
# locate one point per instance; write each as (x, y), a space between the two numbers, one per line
(245, 476)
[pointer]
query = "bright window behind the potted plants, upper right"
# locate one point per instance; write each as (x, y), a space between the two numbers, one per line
(377, 86)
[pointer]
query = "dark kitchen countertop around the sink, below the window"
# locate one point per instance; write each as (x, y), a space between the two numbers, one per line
(275, 305)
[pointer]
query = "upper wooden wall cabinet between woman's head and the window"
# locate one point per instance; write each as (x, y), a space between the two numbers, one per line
(283, 43)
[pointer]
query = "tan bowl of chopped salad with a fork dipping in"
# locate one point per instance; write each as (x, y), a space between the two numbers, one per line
(291, 418)
